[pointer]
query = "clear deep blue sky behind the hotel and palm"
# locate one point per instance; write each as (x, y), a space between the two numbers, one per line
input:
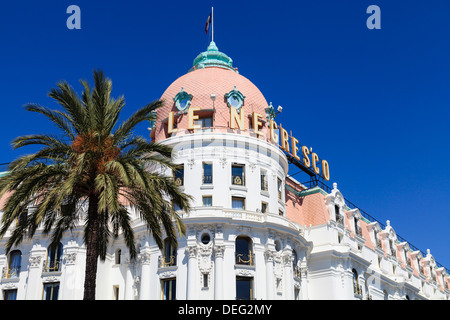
(374, 103)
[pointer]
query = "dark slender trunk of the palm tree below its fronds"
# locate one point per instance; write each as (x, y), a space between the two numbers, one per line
(91, 240)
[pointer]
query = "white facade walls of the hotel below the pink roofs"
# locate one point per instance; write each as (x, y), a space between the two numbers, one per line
(288, 261)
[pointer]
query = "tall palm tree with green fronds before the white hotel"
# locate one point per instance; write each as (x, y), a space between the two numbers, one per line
(93, 163)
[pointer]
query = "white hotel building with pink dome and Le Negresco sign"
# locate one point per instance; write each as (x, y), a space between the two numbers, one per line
(254, 232)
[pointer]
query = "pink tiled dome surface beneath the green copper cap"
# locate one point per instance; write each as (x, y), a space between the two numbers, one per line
(201, 84)
